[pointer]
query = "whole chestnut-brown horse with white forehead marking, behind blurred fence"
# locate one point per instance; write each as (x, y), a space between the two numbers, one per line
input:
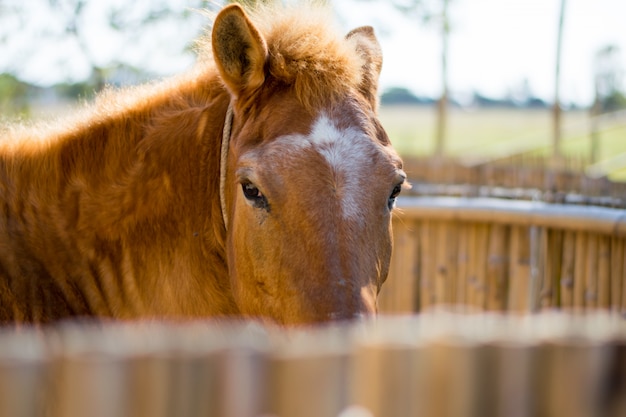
(259, 185)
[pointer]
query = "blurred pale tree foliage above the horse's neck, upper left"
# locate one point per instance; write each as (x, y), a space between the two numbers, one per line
(79, 31)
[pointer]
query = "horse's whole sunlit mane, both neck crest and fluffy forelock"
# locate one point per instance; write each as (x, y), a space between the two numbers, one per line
(307, 53)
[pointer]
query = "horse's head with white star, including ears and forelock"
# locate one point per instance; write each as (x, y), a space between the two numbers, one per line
(310, 177)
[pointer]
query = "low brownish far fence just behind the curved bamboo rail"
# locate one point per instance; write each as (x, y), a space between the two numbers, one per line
(525, 177)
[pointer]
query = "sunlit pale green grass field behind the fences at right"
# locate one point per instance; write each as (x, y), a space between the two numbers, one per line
(498, 132)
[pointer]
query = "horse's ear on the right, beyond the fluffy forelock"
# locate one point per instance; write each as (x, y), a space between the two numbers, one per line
(368, 47)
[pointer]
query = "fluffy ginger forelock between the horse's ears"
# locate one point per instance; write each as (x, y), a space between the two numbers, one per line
(307, 52)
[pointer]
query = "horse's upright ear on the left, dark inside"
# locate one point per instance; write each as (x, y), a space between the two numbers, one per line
(240, 50)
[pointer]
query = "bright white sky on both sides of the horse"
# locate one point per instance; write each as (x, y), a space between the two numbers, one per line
(495, 46)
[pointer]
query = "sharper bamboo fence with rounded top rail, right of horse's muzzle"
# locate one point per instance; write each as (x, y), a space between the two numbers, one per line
(490, 254)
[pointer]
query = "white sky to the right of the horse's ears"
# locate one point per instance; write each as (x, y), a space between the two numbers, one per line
(495, 45)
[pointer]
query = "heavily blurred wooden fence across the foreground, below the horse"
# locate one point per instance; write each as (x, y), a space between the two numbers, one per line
(434, 365)
